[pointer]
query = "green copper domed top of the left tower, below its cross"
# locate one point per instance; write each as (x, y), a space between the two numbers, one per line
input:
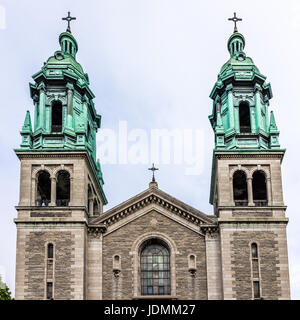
(62, 81)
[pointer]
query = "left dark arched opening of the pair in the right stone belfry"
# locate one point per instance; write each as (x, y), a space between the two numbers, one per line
(240, 191)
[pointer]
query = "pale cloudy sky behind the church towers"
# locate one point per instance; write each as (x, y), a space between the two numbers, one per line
(152, 64)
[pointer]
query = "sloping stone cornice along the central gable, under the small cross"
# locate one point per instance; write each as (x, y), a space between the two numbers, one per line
(154, 199)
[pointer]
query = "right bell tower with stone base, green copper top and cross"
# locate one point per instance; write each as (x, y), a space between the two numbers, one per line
(246, 185)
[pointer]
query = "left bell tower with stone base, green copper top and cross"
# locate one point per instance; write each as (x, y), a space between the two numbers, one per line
(61, 183)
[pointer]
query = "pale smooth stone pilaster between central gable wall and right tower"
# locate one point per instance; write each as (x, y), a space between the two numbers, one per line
(213, 265)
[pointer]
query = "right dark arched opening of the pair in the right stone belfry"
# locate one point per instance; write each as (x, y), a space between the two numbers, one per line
(259, 188)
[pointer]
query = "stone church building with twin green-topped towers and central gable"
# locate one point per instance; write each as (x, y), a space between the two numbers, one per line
(152, 245)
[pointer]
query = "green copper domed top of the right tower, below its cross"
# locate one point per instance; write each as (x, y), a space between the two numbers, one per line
(240, 117)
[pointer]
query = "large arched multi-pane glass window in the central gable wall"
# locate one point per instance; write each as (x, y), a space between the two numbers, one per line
(155, 268)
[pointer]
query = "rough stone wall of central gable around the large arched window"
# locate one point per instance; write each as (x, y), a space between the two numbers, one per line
(187, 242)
